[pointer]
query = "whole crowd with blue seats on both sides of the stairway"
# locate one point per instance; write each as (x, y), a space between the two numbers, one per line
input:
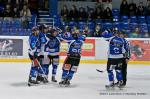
(131, 18)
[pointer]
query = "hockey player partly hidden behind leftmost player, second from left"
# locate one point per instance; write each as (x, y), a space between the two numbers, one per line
(42, 56)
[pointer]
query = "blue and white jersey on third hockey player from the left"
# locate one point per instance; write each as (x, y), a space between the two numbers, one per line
(52, 46)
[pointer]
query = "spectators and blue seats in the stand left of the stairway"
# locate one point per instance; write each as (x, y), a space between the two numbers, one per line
(17, 16)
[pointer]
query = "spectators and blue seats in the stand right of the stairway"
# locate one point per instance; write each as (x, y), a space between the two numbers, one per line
(131, 18)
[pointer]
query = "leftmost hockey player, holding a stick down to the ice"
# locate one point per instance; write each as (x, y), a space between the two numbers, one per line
(33, 43)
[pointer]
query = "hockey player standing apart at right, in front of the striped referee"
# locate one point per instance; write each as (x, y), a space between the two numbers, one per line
(115, 59)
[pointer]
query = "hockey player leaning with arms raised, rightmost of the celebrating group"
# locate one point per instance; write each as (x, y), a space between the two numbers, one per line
(72, 60)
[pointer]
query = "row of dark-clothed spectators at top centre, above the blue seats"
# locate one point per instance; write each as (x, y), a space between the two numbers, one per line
(101, 11)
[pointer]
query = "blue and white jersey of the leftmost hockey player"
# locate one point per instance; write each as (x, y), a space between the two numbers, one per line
(33, 43)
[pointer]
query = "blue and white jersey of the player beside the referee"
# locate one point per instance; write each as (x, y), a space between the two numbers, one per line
(117, 47)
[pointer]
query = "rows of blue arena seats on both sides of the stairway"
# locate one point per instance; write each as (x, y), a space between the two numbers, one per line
(12, 26)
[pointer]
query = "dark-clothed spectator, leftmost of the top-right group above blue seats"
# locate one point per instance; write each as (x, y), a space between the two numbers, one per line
(124, 10)
